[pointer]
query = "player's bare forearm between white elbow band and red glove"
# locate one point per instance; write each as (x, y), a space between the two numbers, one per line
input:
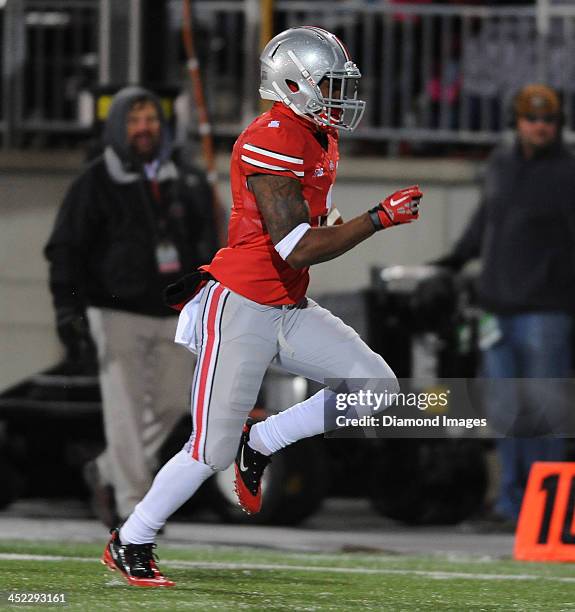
(324, 243)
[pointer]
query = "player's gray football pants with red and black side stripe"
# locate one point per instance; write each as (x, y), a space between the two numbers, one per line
(239, 338)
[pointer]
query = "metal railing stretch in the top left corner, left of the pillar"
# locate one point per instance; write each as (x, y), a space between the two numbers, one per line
(49, 60)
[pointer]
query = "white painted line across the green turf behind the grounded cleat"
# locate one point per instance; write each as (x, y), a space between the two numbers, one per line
(215, 565)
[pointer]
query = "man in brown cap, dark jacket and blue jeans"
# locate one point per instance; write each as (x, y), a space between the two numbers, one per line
(524, 233)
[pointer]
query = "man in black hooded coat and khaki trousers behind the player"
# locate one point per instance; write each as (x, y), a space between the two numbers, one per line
(133, 222)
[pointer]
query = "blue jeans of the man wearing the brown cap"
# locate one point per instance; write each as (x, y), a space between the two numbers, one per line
(533, 345)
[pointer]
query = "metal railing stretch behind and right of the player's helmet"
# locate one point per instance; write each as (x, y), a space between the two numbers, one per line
(430, 72)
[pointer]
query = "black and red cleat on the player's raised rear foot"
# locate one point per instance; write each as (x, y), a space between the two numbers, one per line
(249, 468)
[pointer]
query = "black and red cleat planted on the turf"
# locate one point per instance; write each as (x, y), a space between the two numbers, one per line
(135, 562)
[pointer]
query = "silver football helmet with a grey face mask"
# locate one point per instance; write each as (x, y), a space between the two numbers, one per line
(297, 63)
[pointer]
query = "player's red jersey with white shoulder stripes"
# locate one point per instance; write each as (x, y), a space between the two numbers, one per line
(282, 143)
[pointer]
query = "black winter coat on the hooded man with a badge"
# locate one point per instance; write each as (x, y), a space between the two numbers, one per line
(102, 250)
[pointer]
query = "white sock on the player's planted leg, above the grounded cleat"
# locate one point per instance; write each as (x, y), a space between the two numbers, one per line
(174, 484)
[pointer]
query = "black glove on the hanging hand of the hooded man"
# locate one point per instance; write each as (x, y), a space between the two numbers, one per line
(74, 333)
